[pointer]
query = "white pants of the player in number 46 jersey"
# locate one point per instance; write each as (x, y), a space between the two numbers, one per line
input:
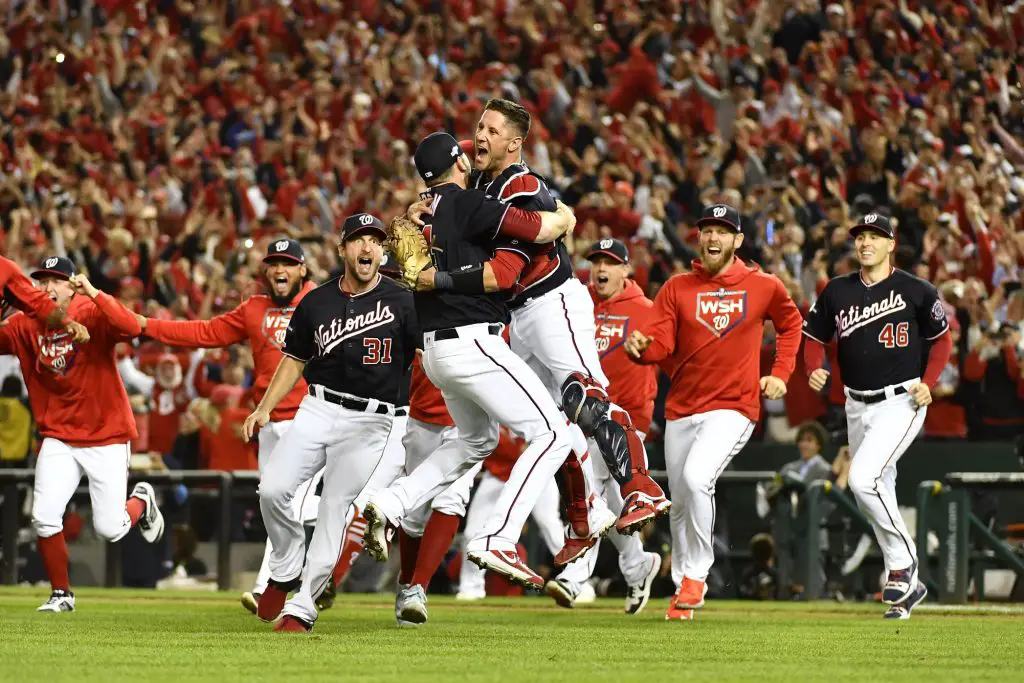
(880, 435)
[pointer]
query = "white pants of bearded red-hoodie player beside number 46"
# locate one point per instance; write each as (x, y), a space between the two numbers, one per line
(698, 449)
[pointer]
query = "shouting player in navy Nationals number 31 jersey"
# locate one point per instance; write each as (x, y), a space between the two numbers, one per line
(353, 339)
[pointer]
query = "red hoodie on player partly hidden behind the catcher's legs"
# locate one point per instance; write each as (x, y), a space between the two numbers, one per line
(632, 388)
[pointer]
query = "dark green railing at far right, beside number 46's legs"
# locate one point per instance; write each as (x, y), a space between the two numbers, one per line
(957, 562)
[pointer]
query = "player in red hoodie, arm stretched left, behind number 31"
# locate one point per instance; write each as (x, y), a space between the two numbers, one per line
(262, 321)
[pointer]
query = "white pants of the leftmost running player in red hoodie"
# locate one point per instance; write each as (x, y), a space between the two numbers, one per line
(59, 472)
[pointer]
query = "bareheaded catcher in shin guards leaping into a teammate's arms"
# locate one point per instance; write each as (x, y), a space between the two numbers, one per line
(553, 329)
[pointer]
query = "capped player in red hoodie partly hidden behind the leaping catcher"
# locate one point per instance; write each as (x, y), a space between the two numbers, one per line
(620, 308)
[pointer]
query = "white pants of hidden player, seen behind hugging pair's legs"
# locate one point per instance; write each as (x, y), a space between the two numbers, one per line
(545, 516)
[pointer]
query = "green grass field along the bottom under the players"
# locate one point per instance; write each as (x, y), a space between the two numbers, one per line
(148, 636)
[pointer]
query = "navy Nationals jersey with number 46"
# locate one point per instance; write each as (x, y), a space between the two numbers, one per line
(881, 330)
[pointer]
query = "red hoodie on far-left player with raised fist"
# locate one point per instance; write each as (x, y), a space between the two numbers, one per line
(76, 393)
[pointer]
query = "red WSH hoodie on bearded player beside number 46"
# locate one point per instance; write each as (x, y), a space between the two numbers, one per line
(710, 330)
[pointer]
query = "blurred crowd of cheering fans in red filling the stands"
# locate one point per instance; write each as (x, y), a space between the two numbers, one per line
(162, 144)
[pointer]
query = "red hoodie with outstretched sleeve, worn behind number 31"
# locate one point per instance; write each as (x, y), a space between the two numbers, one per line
(257, 320)
